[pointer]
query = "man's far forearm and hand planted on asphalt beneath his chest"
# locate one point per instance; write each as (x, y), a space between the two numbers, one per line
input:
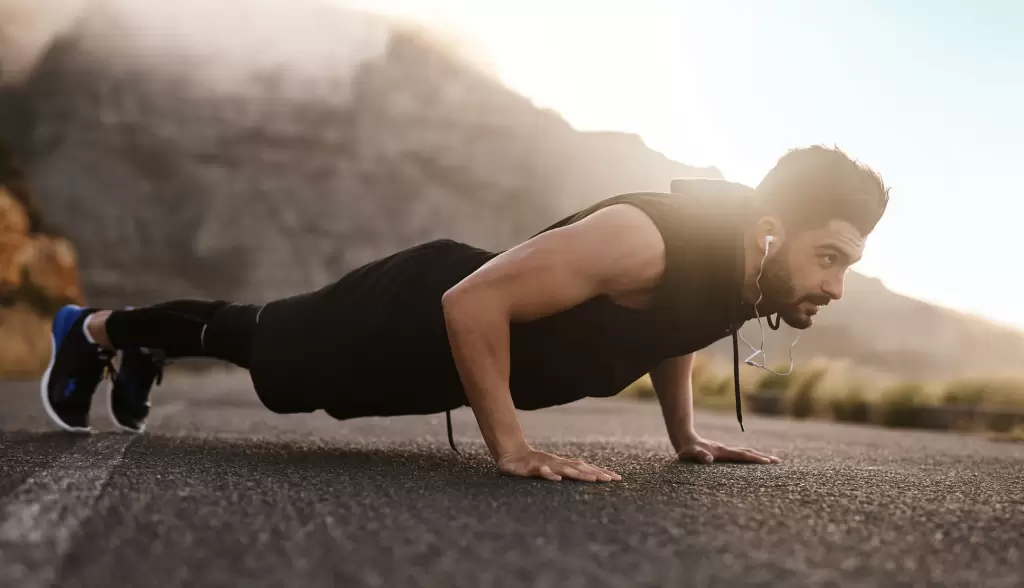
(673, 381)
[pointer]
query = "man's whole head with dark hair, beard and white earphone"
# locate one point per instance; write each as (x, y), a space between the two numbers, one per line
(819, 206)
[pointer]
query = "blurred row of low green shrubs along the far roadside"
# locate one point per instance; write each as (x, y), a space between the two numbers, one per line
(835, 393)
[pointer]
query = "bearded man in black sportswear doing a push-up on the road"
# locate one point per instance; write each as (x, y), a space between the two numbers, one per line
(634, 284)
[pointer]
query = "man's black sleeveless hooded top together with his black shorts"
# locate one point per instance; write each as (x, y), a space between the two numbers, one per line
(375, 344)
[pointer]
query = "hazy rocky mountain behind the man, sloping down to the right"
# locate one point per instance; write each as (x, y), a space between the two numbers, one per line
(186, 152)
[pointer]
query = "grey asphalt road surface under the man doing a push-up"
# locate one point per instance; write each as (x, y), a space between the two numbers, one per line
(221, 492)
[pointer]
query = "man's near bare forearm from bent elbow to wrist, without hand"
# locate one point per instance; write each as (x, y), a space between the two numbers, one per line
(479, 335)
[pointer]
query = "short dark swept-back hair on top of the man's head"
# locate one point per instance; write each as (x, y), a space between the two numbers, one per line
(810, 187)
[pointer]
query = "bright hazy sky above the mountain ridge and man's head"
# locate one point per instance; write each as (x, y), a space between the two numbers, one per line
(930, 95)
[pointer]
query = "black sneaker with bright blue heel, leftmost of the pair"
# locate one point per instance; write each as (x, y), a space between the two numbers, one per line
(76, 369)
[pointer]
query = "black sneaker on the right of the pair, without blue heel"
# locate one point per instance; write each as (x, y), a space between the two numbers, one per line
(130, 399)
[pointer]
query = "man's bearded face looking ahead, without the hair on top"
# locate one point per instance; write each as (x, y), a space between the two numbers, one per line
(808, 271)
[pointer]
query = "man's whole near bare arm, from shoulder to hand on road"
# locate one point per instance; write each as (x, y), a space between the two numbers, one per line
(617, 250)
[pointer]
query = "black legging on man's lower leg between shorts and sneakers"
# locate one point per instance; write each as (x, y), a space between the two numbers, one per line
(189, 328)
